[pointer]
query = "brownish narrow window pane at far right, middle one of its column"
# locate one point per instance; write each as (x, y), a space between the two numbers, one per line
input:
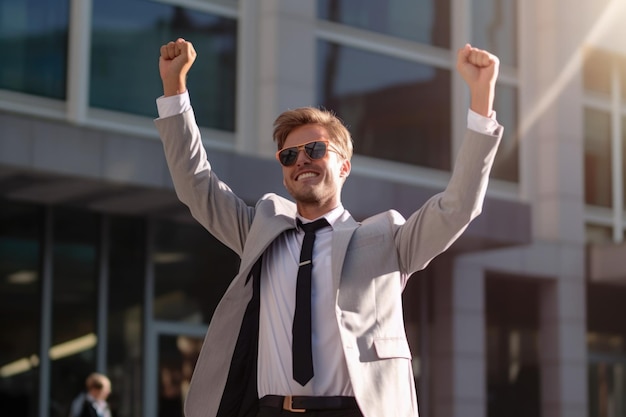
(598, 179)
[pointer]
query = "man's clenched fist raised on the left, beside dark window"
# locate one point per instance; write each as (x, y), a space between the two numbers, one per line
(174, 63)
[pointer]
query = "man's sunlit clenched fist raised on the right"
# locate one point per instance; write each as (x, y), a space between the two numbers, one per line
(479, 69)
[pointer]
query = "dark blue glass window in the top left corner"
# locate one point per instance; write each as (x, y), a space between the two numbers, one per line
(34, 33)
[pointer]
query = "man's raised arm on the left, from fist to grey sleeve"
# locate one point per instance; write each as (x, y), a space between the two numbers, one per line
(211, 202)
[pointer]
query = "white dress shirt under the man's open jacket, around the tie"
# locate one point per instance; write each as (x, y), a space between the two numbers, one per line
(278, 302)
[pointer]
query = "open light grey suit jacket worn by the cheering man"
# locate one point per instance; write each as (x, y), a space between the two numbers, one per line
(370, 260)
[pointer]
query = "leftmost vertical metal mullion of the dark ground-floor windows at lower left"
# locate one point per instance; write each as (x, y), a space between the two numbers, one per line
(46, 313)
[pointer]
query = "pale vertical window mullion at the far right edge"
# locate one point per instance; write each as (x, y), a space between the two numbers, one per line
(616, 156)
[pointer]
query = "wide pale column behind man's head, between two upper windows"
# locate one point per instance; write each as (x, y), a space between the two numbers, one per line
(283, 76)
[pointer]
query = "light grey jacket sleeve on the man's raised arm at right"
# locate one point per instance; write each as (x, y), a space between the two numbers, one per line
(443, 218)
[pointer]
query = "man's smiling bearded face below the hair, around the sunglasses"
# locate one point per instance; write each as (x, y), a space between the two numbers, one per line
(315, 184)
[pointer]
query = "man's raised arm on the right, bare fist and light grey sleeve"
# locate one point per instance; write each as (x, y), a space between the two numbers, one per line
(443, 218)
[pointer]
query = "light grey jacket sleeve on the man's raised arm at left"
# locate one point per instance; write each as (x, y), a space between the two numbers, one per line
(211, 202)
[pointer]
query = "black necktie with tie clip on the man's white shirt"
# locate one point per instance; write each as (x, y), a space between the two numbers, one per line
(301, 344)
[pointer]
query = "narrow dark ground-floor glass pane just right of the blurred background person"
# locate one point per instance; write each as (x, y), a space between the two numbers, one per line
(125, 314)
